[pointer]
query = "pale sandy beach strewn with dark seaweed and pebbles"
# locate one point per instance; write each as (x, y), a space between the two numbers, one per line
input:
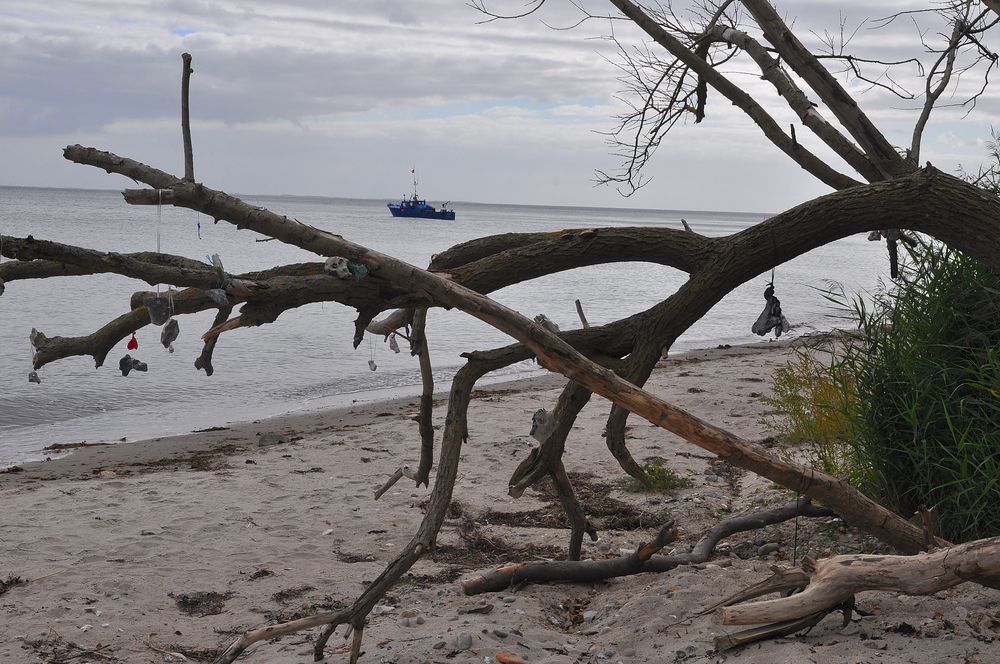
(165, 550)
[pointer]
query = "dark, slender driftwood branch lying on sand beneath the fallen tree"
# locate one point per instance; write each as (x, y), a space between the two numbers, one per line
(642, 560)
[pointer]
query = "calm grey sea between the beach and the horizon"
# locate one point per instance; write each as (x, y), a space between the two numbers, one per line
(304, 360)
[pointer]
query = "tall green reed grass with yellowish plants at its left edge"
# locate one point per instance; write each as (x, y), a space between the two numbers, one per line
(909, 408)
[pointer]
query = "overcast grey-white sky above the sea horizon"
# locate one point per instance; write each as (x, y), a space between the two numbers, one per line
(344, 97)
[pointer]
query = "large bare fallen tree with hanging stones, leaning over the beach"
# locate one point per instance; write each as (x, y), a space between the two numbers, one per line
(612, 360)
